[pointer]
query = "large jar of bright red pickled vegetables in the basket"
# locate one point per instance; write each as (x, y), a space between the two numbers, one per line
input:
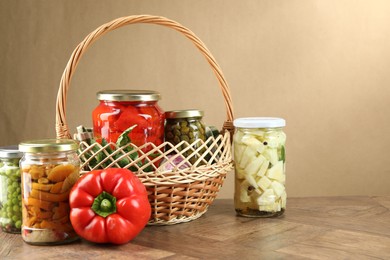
(120, 109)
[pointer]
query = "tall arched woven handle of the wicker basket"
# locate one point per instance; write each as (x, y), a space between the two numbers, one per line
(62, 130)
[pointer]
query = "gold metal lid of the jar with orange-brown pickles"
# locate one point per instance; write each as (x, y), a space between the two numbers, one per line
(48, 146)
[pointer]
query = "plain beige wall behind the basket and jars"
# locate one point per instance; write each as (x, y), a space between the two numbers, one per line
(324, 66)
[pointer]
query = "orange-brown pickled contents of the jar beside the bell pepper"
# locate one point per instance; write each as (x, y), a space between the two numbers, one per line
(46, 202)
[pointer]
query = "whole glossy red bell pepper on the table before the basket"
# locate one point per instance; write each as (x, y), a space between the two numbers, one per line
(109, 206)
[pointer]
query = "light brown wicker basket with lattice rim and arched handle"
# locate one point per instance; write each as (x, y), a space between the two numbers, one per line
(185, 192)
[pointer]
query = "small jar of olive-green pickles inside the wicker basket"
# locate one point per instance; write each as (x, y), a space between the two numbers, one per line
(186, 125)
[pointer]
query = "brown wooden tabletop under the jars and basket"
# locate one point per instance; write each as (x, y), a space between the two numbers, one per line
(312, 228)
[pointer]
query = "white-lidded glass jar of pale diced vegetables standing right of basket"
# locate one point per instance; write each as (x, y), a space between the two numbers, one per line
(260, 158)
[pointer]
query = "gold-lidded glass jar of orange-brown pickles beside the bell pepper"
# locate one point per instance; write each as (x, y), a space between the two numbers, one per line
(50, 168)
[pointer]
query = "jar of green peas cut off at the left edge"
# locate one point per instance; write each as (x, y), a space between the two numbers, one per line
(10, 190)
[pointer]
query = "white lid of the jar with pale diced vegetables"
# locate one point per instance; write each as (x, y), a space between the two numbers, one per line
(259, 122)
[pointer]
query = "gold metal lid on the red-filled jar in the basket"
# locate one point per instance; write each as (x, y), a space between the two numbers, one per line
(128, 95)
